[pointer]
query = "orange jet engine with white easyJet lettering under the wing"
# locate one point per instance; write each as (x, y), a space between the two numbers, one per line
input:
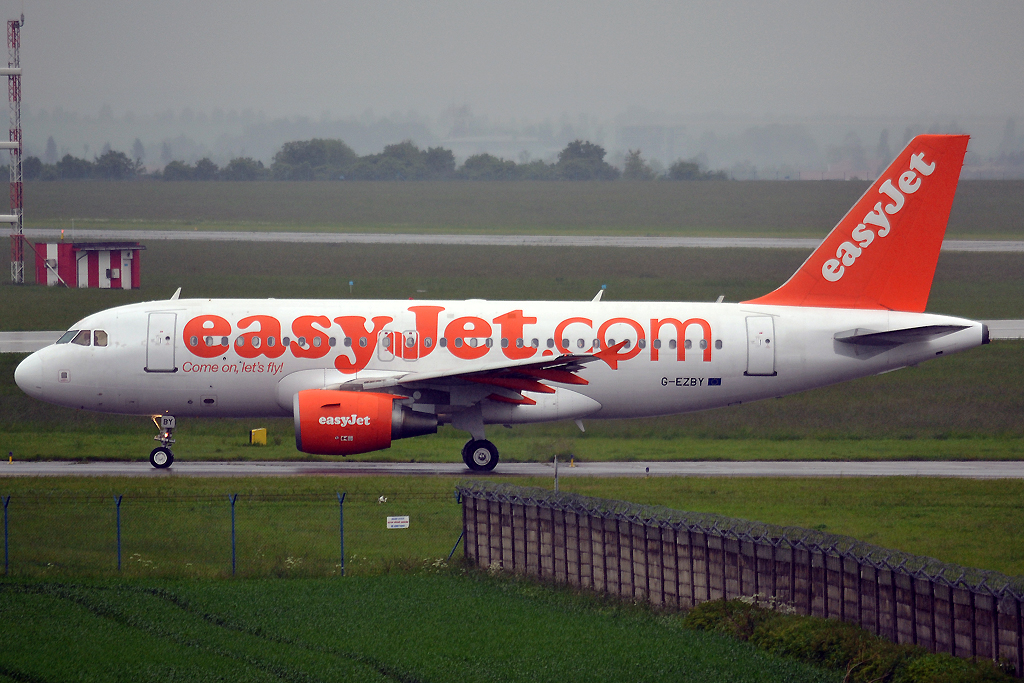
(342, 423)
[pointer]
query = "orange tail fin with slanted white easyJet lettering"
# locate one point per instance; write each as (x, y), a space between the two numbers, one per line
(883, 253)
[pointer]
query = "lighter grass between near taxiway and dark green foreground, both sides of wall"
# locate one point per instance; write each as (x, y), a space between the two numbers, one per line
(181, 528)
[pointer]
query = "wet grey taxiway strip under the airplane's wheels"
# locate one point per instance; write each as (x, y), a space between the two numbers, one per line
(962, 471)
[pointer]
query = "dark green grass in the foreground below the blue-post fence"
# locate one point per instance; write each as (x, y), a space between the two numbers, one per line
(423, 627)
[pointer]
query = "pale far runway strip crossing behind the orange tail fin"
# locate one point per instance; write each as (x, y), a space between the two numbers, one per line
(486, 240)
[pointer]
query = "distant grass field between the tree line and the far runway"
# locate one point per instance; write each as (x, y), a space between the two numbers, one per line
(983, 209)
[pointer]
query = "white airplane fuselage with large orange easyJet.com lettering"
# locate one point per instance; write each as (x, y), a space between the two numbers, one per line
(680, 358)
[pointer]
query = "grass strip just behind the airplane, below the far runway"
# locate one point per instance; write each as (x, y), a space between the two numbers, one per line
(976, 286)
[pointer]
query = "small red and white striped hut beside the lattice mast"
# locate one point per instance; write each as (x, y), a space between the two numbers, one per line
(98, 265)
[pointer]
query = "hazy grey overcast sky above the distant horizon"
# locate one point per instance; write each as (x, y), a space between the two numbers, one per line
(526, 60)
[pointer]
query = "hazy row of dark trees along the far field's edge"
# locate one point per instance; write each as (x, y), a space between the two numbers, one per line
(320, 159)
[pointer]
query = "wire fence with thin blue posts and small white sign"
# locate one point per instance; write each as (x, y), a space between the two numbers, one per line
(208, 536)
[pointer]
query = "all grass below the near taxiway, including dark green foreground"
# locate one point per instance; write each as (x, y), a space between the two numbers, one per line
(401, 613)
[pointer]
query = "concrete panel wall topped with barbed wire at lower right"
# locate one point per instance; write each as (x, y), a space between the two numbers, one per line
(679, 560)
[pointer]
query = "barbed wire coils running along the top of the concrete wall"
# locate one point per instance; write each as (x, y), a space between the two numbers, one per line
(919, 567)
